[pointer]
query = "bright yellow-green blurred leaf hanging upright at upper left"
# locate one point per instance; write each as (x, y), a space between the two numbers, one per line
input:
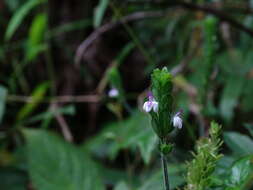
(36, 36)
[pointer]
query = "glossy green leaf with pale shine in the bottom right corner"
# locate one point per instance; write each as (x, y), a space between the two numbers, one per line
(240, 172)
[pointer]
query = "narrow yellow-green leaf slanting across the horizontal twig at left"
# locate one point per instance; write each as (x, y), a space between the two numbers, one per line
(37, 96)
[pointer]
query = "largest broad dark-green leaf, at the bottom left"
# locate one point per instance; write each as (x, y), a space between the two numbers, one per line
(57, 165)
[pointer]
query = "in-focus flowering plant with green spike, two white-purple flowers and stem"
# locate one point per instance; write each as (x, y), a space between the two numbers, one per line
(159, 106)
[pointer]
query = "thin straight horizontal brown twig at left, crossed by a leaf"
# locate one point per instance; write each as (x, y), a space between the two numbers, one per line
(57, 99)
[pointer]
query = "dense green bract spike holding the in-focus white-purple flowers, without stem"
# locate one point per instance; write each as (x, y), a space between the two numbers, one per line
(162, 92)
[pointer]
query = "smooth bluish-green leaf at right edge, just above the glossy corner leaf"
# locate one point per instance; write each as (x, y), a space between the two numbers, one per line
(238, 143)
